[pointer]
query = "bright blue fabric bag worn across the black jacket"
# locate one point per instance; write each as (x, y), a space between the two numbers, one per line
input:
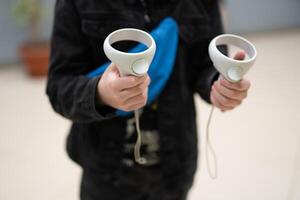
(166, 38)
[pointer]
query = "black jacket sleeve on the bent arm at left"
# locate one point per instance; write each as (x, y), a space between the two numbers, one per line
(71, 93)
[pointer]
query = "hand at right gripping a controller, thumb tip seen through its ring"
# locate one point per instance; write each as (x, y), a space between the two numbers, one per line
(226, 95)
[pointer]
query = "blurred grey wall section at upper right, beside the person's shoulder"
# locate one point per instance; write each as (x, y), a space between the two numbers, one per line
(261, 15)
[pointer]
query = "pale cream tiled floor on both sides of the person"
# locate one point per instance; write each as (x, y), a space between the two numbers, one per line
(258, 144)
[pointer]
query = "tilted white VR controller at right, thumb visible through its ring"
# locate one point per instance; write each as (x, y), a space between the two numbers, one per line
(232, 70)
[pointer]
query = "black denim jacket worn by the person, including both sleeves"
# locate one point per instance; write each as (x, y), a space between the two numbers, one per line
(80, 27)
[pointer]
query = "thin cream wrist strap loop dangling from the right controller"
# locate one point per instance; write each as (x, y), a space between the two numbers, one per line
(210, 151)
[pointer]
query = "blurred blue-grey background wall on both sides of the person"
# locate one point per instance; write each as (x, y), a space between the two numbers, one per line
(240, 16)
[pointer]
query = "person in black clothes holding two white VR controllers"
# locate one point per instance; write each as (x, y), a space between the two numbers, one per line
(101, 142)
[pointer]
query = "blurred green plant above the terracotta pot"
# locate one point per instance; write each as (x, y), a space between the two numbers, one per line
(30, 13)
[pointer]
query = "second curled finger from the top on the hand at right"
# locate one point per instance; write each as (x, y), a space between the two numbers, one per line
(230, 93)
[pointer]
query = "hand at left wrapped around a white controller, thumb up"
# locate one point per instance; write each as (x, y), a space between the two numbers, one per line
(126, 93)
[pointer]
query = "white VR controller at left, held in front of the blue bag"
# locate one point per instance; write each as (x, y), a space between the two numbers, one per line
(136, 64)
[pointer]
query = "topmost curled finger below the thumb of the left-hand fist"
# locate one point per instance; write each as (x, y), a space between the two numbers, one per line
(129, 81)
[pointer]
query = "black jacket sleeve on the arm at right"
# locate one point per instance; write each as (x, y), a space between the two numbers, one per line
(207, 74)
